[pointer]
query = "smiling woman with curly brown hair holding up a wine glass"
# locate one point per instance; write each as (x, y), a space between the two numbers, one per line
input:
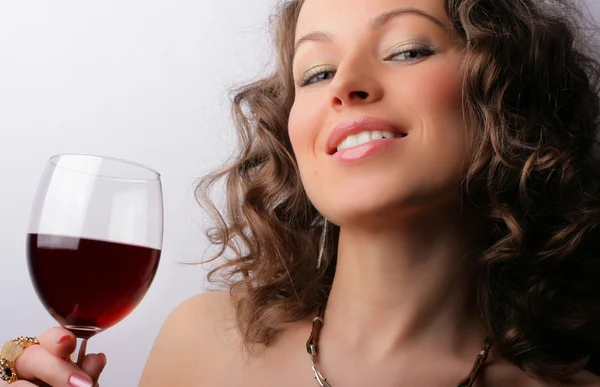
(416, 203)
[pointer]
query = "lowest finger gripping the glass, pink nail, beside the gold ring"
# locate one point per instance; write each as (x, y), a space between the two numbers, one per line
(36, 363)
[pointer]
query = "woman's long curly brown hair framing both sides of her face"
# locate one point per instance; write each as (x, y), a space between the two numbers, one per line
(531, 100)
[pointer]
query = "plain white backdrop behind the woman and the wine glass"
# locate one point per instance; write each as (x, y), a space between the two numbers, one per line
(145, 80)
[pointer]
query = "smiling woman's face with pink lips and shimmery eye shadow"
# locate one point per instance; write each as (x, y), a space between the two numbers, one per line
(377, 124)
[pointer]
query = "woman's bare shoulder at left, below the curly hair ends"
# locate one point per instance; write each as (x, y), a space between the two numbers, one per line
(197, 337)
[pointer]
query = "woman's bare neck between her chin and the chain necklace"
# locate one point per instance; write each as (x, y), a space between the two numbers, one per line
(397, 287)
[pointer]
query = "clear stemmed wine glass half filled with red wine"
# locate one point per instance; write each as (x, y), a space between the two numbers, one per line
(94, 241)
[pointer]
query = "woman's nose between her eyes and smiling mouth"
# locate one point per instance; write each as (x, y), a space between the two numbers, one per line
(356, 82)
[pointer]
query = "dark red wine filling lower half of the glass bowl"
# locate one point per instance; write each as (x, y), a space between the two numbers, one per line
(89, 285)
